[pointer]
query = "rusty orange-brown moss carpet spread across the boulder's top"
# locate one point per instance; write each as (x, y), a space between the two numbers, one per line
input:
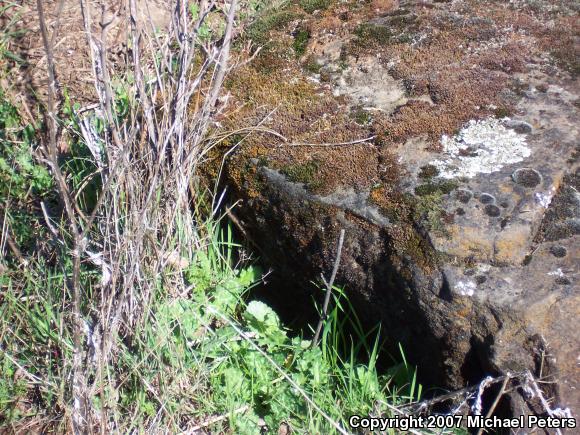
(459, 58)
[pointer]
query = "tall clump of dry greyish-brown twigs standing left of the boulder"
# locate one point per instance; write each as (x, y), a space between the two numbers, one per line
(146, 165)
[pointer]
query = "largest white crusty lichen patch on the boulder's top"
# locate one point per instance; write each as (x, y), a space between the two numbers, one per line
(481, 147)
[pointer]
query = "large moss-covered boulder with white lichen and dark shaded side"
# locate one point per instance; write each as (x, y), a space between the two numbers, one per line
(444, 137)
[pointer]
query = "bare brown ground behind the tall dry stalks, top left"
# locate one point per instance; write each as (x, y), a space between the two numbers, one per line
(71, 55)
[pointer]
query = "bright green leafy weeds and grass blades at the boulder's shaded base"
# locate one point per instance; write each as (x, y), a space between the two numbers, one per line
(331, 375)
